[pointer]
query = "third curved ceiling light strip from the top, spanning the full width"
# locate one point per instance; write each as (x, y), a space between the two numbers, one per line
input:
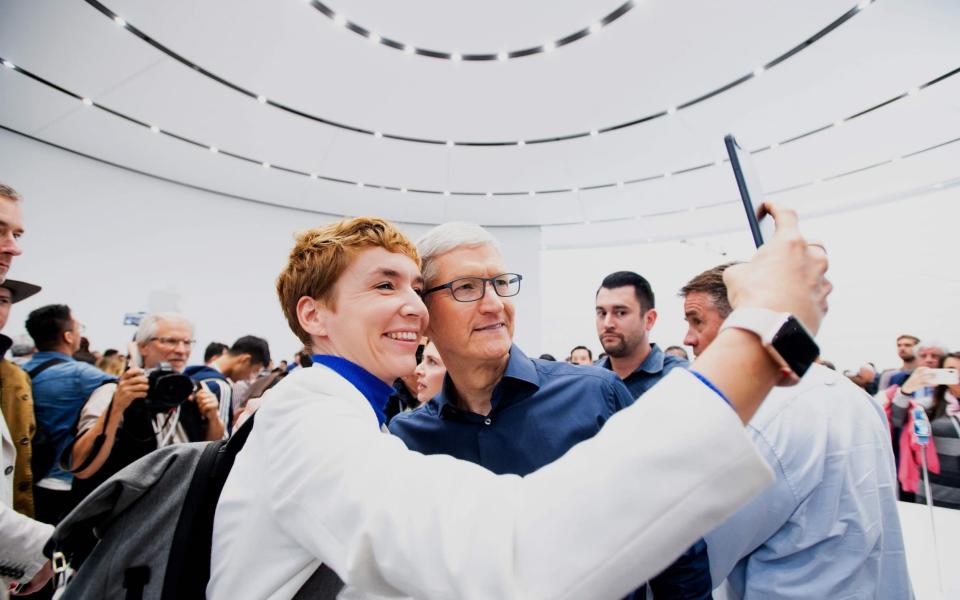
(155, 129)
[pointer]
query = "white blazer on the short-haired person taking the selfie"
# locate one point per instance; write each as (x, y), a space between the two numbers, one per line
(318, 481)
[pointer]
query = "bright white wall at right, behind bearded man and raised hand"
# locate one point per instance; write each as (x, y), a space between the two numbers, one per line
(893, 267)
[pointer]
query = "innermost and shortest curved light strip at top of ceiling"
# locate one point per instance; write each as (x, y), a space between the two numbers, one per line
(501, 55)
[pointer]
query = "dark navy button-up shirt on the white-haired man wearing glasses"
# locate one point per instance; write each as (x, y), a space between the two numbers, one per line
(539, 410)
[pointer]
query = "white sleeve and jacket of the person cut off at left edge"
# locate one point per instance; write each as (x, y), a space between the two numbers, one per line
(21, 538)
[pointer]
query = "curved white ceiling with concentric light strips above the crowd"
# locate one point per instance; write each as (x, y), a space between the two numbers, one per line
(655, 56)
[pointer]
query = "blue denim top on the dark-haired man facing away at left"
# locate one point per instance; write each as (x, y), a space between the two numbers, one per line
(59, 392)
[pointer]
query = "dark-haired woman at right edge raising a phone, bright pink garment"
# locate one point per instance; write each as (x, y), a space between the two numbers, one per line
(943, 454)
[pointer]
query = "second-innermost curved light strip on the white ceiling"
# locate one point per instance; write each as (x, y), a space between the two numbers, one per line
(668, 111)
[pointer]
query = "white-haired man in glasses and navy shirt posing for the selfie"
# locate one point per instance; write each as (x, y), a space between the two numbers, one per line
(498, 408)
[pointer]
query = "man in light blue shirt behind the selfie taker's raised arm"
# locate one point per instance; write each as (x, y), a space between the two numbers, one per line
(828, 527)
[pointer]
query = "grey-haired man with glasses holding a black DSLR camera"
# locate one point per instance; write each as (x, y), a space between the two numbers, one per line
(152, 406)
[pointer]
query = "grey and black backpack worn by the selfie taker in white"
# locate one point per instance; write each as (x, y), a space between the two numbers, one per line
(146, 532)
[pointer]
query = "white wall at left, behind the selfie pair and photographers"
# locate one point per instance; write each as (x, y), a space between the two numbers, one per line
(106, 242)
